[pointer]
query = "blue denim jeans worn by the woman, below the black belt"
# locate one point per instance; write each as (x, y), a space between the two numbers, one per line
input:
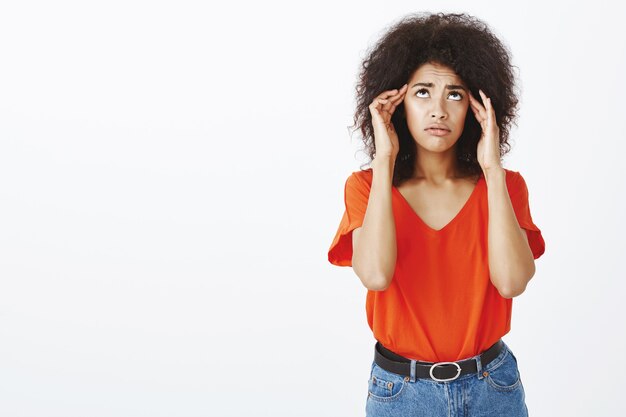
(495, 390)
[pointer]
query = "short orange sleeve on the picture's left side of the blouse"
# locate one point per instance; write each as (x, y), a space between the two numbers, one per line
(356, 196)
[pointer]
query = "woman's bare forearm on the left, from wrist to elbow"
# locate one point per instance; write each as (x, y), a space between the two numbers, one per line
(374, 243)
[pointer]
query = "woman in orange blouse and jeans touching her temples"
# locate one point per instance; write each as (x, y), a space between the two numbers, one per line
(437, 230)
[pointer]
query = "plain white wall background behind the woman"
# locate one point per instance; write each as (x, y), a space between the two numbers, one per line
(172, 176)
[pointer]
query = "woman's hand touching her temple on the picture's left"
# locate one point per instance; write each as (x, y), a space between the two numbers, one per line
(381, 109)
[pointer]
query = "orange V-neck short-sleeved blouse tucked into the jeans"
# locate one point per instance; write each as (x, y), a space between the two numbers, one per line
(441, 304)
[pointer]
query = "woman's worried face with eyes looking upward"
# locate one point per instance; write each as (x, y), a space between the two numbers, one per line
(435, 95)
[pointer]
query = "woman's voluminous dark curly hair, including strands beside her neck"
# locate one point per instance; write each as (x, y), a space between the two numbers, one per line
(456, 40)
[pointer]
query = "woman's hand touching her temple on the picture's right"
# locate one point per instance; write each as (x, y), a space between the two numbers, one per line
(488, 151)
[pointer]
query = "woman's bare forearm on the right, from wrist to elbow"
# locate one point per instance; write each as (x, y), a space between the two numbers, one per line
(511, 262)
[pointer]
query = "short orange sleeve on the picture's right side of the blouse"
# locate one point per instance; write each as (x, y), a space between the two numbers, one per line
(518, 193)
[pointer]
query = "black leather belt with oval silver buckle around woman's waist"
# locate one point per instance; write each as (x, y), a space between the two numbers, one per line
(439, 371)
